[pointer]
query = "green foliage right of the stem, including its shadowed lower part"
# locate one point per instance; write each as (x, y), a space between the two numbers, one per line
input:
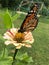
(23, 59)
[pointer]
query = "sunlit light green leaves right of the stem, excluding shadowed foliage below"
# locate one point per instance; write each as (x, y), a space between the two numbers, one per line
(24, 57)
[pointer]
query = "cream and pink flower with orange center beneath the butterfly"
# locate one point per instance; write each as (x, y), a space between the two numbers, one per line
(18, 39)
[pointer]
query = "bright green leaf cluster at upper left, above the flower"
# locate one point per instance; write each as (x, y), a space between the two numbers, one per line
(8, 19)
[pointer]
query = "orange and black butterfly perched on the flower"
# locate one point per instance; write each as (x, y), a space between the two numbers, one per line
(31, 20)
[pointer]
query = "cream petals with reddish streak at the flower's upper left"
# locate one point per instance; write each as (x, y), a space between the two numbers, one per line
(9, 35)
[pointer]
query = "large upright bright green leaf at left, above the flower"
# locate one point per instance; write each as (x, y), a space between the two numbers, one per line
(7, 20)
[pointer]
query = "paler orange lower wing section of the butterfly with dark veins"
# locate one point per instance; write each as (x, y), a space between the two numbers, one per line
(31, 25)
